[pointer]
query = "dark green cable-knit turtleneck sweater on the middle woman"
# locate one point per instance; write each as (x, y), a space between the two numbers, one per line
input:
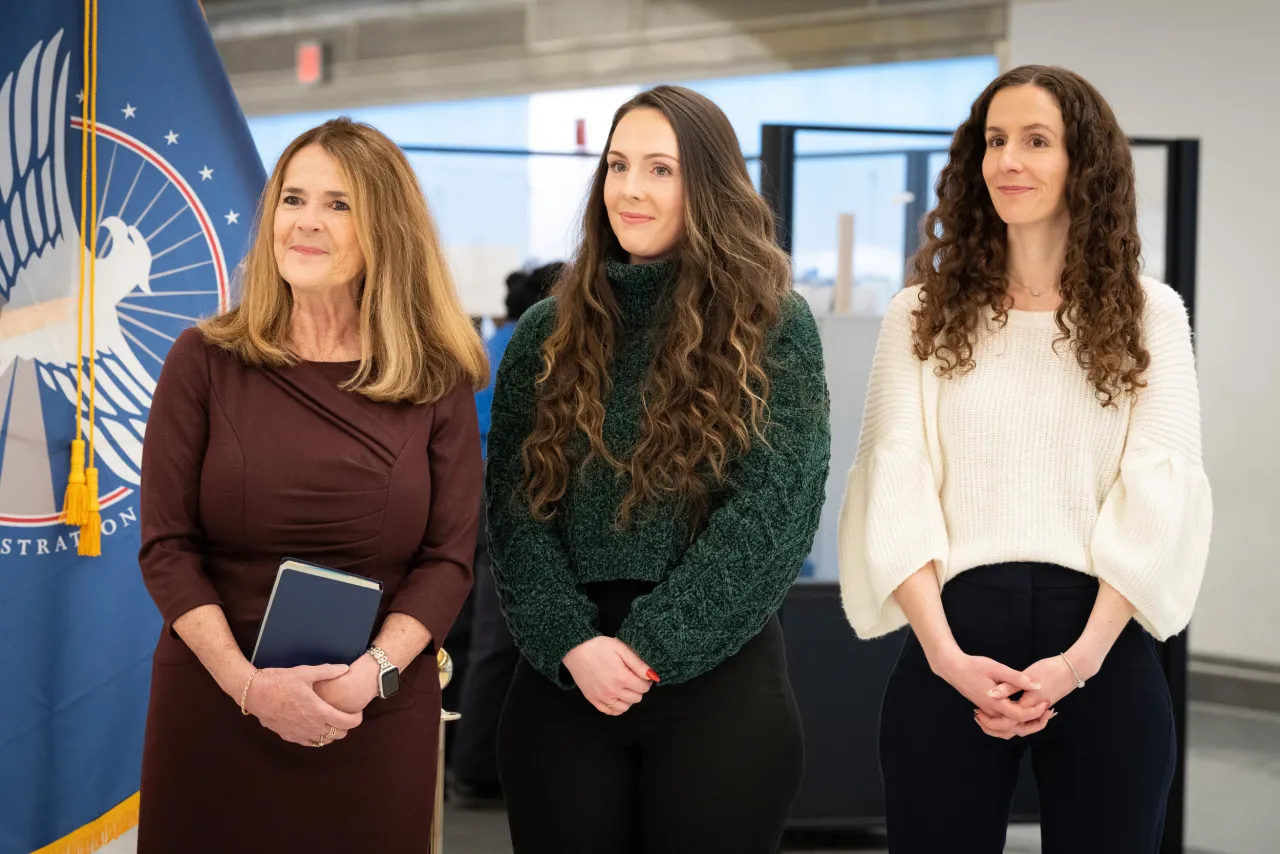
(714, 595)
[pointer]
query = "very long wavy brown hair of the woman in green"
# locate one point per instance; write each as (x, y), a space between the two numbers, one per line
(705, 398)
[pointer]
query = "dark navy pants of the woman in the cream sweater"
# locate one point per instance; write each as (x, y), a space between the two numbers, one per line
(1103, 768)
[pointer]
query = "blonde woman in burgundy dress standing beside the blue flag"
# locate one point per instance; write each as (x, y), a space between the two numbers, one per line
(327, 418)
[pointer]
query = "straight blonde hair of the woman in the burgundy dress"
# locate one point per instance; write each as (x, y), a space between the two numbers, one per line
(417, 344)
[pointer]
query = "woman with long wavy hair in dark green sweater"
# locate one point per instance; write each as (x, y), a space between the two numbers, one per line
(657, 462)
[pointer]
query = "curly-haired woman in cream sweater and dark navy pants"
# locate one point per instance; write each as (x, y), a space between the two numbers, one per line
(1028, 491)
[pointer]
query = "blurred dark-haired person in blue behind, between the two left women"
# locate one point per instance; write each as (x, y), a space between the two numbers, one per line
(492, 659)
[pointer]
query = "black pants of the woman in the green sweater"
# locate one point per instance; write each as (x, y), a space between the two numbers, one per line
(707, 766)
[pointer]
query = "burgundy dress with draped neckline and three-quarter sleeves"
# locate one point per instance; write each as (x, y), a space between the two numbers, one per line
(244, 467)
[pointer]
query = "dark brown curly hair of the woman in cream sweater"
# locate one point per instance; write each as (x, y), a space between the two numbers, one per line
(962, 262)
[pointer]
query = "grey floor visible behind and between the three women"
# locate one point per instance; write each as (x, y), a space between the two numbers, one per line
(1233, 780)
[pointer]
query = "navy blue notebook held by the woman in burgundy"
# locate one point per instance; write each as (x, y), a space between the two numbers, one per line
(317, 616)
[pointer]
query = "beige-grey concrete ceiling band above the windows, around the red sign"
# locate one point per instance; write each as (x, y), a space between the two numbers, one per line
(383, 52)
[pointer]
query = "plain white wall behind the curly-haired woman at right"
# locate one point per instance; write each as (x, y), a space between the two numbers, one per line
(1209, 71)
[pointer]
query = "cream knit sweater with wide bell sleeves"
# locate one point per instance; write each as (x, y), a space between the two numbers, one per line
(1018, 462)
